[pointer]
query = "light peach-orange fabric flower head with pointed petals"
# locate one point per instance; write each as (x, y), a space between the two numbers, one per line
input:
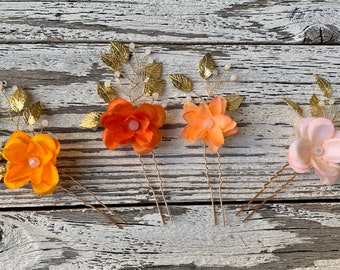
(208, 122)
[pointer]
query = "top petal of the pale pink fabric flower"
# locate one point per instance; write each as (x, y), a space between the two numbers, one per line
(319, 130)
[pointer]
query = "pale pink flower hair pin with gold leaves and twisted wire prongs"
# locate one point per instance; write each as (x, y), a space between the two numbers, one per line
(316, 145)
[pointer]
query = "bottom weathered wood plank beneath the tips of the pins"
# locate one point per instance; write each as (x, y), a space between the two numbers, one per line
(286, 236)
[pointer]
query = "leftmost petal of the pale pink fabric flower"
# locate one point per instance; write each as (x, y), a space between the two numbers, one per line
(299, 155)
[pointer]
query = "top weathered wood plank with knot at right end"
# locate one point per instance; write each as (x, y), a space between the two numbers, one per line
(245, 21)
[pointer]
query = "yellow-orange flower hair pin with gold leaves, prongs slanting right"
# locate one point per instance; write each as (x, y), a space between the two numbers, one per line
(31, 155)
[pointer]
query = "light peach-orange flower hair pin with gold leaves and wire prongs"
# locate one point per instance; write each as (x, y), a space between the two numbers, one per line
(208, 121)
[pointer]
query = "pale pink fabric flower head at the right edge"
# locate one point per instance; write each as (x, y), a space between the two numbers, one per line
(317, 145)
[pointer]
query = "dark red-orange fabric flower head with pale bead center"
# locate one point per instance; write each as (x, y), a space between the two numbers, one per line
(125, 124)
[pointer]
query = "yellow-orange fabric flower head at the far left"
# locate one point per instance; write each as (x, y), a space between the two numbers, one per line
(31, 159)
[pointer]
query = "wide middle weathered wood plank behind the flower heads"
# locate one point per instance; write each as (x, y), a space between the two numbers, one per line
(63, 77)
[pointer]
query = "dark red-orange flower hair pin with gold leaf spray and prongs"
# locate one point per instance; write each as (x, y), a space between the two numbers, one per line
(123, 122)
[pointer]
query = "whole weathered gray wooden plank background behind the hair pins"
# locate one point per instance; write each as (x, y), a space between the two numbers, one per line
(275, 47)
